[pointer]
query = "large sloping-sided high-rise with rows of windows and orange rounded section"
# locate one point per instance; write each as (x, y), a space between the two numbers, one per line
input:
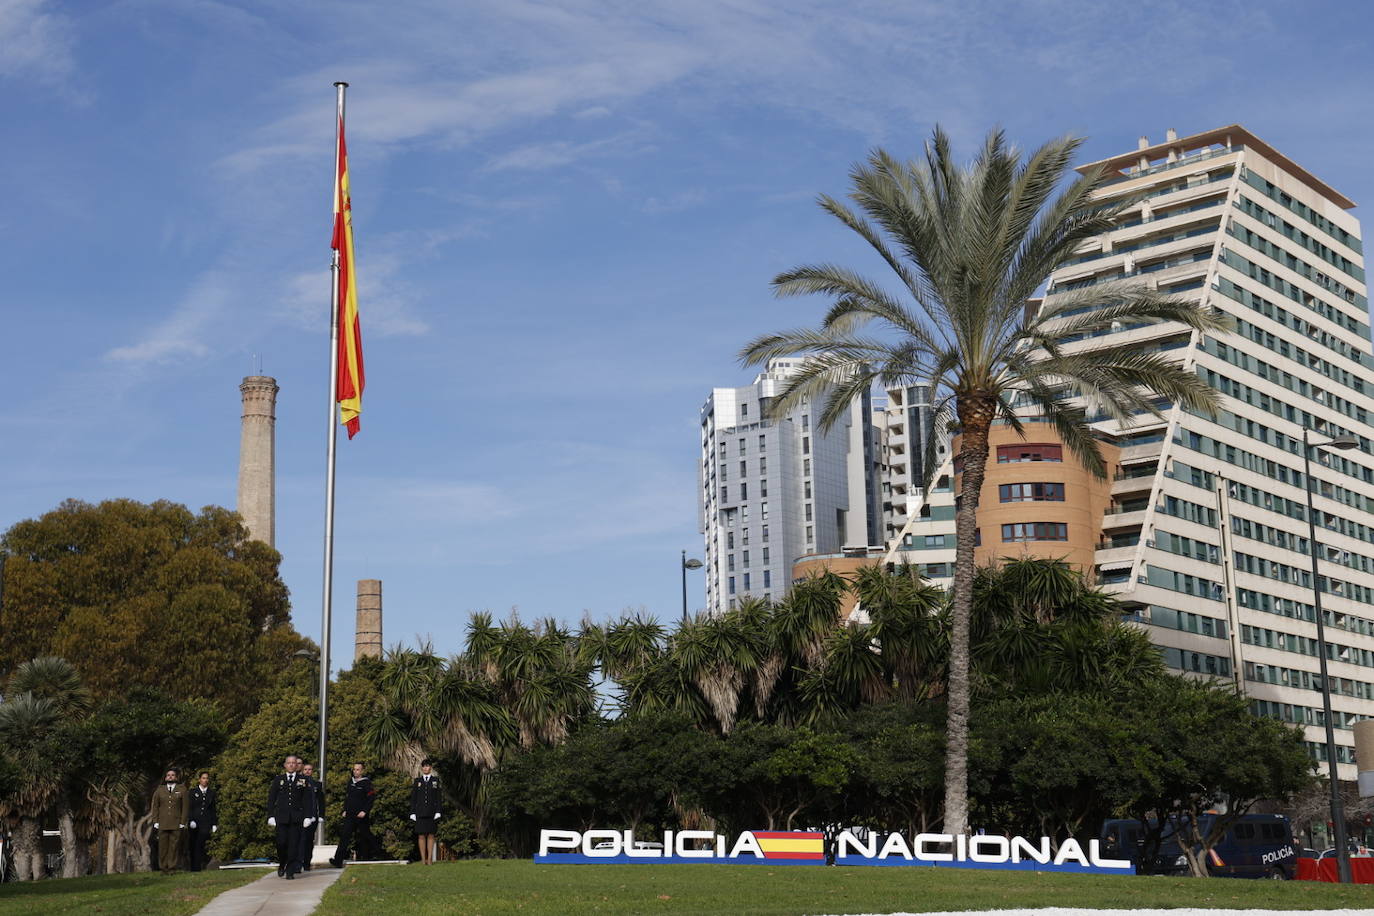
(1203, 529)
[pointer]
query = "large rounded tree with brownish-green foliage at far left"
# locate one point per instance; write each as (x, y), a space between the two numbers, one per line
(148, 595)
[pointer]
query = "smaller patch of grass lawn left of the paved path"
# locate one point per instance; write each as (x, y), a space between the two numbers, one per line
(122, 895)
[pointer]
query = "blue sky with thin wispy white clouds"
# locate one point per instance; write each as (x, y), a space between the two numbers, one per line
(567, 216)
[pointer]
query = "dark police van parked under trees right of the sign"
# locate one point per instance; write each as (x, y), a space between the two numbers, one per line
(1254, 847)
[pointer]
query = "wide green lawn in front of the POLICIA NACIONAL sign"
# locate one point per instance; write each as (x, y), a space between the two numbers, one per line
(490, 886)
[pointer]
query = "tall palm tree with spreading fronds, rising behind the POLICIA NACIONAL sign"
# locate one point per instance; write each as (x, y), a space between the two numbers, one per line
(969, 248)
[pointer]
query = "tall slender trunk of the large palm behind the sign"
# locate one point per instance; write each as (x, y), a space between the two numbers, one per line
(976, 420)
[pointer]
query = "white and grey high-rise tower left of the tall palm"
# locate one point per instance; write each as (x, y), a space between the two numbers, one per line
(777, 490)
